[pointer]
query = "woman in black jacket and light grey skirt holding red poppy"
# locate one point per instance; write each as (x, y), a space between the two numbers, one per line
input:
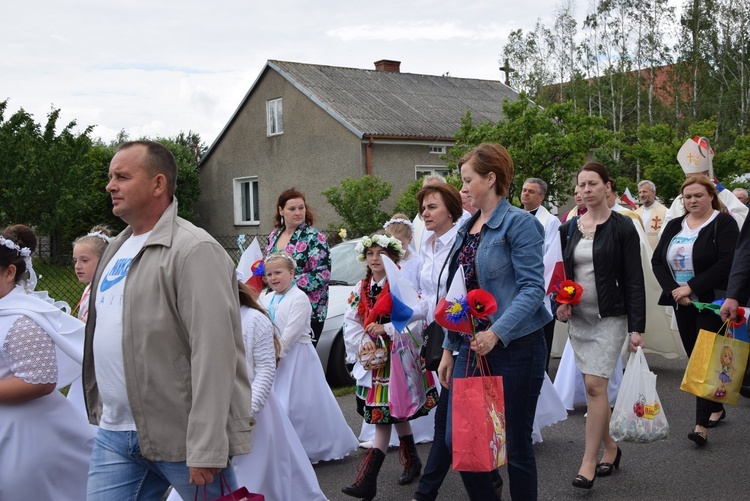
(602, 253)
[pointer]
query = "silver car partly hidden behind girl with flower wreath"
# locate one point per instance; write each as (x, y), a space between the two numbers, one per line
(346, 271)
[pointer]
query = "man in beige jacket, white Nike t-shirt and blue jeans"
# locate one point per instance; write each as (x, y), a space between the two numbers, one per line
(164, 363)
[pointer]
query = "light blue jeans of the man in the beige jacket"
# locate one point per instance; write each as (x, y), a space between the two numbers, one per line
(119, 471)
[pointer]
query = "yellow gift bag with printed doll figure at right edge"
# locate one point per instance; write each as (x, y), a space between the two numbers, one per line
(716, 366)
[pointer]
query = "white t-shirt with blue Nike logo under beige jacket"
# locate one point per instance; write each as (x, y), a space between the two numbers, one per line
(108, 362)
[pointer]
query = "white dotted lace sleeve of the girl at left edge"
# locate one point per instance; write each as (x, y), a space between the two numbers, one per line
(30, 352)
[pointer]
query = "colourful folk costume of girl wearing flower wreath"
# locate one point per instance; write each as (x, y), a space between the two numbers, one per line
(372, 398)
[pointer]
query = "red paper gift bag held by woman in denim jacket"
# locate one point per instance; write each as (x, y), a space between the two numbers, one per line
(478, 423)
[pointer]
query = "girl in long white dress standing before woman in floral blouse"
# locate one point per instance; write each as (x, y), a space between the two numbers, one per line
(300, 383)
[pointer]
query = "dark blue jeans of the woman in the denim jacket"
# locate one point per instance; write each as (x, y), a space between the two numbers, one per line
(521, 364)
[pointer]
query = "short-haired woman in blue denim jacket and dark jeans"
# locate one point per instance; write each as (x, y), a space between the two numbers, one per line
(500, 249)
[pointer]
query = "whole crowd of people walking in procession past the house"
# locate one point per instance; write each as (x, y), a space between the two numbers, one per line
(182, 377)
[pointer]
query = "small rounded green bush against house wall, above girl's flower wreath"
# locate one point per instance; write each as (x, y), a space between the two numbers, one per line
(358, 202)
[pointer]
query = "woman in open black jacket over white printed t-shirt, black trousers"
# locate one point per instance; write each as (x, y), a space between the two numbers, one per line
(692, 263)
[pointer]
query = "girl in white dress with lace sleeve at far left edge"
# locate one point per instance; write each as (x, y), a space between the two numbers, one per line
(46, 444)
